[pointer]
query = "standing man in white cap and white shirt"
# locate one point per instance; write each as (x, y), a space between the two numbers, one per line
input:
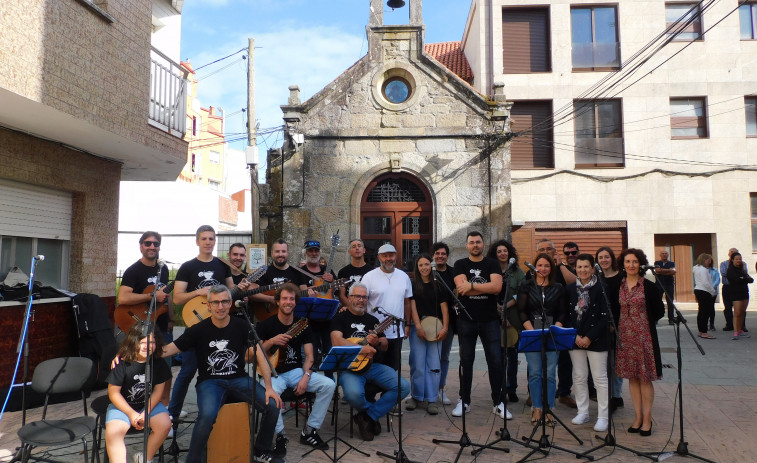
(390, 290)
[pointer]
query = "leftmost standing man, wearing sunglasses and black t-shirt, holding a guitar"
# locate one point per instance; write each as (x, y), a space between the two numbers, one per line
(138, 277)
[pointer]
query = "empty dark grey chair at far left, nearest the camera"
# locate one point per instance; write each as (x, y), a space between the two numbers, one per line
(58, 376)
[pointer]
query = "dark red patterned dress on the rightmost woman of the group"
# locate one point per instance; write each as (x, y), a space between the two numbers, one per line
(636, 359)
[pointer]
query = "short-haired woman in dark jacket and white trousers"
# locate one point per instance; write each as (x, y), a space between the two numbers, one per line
(587, 310)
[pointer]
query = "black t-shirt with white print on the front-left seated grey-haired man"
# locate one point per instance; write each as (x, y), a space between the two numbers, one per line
(220, 351)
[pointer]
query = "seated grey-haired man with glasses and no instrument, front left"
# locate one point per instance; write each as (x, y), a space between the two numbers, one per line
(221, 346)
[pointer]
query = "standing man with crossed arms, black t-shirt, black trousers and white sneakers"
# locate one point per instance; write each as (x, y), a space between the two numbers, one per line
(478, 281)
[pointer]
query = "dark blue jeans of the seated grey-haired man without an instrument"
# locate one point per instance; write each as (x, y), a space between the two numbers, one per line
(211, 395)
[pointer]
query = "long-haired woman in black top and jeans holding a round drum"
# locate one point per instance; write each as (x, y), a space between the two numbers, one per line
(428, 300)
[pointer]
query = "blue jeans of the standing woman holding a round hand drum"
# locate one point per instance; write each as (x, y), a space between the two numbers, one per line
(424, 367)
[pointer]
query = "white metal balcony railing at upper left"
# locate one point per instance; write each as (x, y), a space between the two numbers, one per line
(168, 94)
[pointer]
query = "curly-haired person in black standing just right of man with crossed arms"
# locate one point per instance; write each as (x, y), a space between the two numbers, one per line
(503, 252)
